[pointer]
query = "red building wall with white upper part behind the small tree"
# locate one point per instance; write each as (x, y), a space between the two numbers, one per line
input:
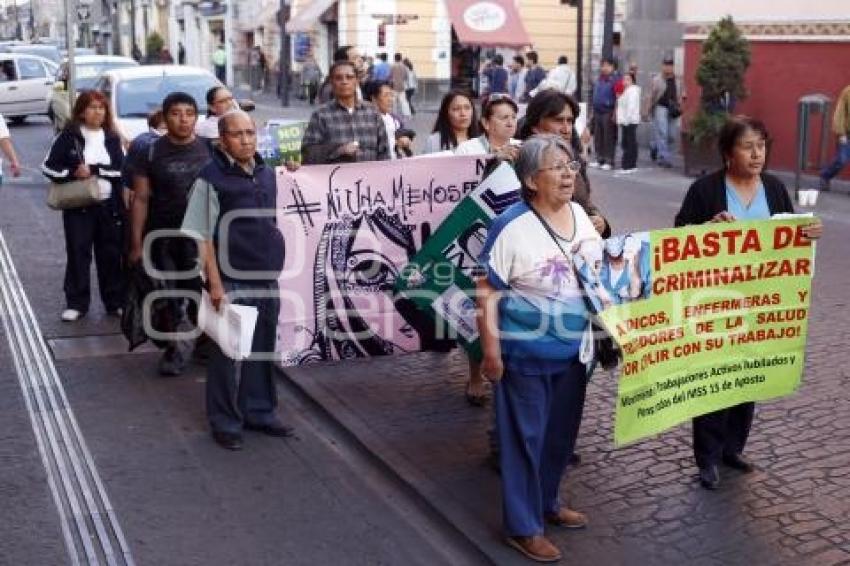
(798, 48)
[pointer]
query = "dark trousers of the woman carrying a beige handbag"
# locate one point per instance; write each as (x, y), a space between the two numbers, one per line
(101, 228)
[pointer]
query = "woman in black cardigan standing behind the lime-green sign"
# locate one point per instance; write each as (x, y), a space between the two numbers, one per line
(739, 191)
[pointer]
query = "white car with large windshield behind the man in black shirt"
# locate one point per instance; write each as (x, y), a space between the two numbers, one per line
(135, 92)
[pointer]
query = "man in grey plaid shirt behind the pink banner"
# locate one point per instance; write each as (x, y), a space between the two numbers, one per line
(345, 129)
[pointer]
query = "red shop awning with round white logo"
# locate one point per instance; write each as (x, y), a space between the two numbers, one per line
(487, 23)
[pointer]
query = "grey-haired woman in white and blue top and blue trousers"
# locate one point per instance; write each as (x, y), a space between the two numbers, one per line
(532, 317)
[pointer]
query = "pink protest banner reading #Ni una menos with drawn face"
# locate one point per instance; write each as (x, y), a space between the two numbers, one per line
(349, 229)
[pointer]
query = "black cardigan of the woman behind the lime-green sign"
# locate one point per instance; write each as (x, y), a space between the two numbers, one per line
(707, 196)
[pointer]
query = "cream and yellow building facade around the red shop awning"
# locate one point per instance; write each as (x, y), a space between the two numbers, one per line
(426, 33)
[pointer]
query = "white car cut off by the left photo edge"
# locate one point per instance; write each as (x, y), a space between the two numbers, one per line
(26, 82)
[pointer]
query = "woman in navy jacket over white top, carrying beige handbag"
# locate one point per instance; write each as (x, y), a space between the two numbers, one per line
(90, 146)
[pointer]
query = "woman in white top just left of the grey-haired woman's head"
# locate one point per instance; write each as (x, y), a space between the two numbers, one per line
(498, 120)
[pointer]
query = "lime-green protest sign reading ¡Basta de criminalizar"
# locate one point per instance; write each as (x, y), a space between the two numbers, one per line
(723, 322)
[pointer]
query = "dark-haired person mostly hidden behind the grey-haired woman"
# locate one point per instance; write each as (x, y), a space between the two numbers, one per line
(553, 112)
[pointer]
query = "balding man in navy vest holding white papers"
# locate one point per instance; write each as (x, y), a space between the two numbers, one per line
(232, 211)
